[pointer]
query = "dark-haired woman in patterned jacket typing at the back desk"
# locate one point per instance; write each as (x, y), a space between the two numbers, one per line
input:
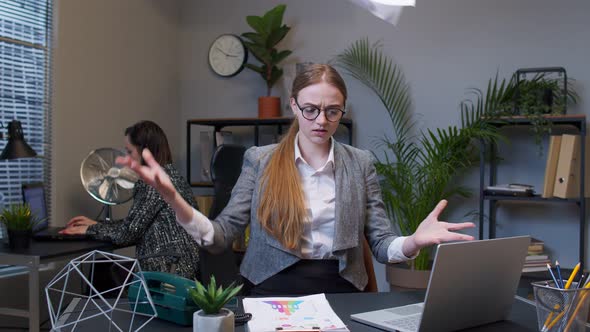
(151, 223)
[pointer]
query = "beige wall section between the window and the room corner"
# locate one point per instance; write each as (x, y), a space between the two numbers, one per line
(115, 64)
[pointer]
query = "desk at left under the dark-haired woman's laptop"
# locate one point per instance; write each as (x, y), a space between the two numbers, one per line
(38, 253)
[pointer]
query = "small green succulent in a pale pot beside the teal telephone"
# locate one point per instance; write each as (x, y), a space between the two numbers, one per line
(213, 317)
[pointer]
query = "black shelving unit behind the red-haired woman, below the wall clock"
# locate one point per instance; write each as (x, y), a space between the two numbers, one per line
(219, 124)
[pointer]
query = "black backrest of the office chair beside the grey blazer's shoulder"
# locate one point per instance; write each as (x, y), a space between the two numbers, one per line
(226, 166)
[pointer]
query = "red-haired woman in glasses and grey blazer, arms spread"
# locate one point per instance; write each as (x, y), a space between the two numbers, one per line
(309, 201)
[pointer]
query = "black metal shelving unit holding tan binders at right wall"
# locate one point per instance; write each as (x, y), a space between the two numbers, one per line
(578, 122)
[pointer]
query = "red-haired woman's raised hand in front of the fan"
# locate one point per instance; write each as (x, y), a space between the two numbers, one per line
(151, 173)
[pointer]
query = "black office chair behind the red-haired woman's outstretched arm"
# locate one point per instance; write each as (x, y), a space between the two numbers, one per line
(226, 166)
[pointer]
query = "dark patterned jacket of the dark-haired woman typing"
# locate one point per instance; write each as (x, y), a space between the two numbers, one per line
(151, 226)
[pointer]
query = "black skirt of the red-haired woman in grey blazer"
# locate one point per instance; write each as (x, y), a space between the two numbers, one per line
(303, 278)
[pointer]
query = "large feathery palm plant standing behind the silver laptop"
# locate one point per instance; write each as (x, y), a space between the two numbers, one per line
(418, 168)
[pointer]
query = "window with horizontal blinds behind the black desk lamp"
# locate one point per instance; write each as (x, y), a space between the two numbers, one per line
(25, 90)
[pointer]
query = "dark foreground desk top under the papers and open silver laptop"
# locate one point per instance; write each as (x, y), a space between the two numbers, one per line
(522, 317)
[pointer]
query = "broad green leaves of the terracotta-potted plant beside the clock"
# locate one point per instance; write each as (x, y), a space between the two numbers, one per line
(269, 31)
